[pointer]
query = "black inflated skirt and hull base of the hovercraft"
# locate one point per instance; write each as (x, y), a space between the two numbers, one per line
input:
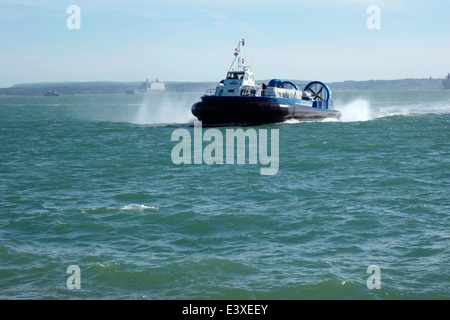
(255, 110)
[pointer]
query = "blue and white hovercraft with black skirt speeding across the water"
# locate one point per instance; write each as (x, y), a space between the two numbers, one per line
(239, 100)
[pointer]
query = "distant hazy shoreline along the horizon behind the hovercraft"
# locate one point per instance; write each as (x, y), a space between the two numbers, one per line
(111, 87)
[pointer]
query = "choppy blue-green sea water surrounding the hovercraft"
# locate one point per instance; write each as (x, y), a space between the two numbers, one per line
(88, 181)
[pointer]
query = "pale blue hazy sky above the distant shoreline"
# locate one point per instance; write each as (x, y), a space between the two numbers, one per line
(195, 40)
